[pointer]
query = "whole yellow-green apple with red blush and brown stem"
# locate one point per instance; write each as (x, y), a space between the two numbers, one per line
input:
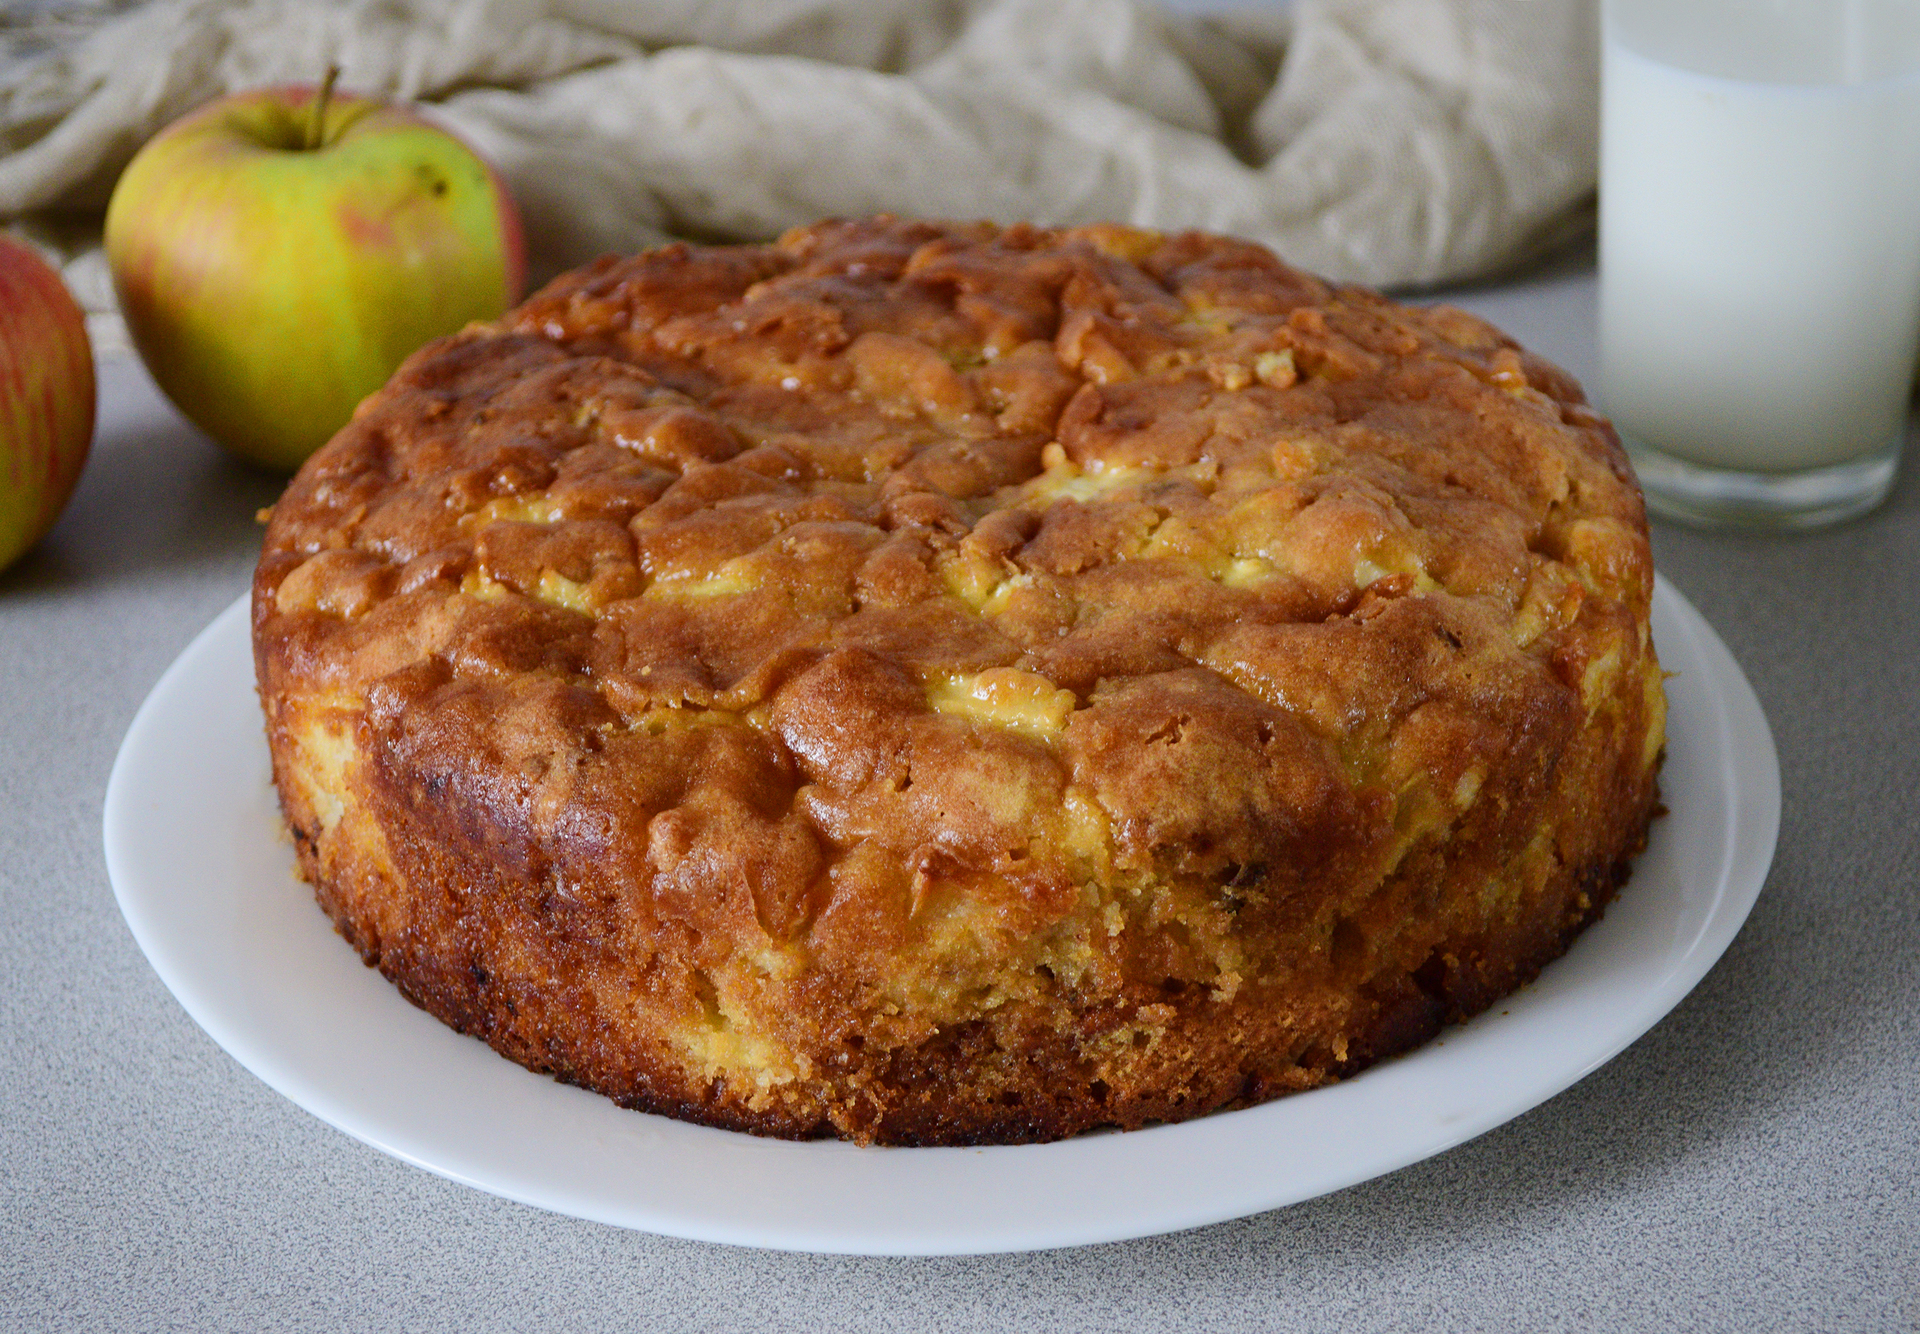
(272, 287)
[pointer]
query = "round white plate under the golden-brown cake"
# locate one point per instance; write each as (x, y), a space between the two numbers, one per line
(206, 880)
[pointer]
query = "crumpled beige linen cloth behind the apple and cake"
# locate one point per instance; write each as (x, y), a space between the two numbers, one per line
(1395, 143)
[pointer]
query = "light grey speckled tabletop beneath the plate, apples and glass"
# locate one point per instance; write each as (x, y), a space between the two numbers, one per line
(1754, 1162)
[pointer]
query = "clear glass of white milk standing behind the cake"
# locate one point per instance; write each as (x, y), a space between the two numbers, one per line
(1760, 252)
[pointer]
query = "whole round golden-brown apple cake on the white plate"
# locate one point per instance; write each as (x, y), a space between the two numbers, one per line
(946, 684)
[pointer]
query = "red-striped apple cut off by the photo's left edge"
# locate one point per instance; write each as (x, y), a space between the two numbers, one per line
(47, 398)
